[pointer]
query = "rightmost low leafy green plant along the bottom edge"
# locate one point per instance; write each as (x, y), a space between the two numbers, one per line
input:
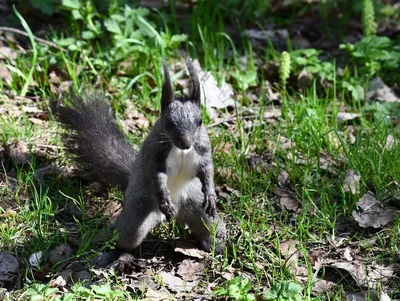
(286, 290)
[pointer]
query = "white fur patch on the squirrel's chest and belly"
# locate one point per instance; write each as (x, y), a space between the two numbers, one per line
(182, 167)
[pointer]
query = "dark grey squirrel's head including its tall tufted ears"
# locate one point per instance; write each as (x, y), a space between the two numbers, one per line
(181, 117)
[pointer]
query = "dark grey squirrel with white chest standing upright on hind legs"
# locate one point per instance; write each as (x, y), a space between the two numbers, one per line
(170, 176)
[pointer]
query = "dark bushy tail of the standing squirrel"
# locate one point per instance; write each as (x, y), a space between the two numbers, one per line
(101, 148)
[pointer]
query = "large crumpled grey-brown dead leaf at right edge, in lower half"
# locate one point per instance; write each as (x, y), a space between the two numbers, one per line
(372, 213)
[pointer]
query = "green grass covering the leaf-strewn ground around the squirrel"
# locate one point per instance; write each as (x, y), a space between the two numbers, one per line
(258, 224)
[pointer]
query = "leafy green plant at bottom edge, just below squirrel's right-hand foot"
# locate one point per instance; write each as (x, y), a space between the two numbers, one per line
(237, 289)
